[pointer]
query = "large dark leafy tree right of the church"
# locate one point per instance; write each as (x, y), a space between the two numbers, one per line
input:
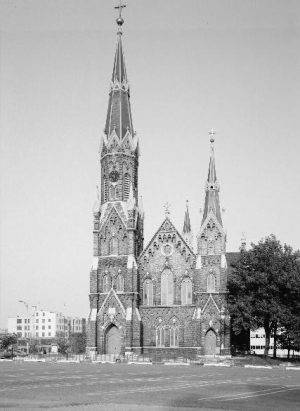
(261, 290)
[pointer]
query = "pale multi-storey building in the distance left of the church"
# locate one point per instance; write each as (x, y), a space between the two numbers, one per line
(45, 324)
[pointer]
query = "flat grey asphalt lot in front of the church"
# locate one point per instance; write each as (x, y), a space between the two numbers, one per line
(111, 387)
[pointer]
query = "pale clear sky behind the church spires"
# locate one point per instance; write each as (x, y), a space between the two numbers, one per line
(192, 65)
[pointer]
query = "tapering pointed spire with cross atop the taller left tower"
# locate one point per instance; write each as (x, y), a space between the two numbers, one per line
(119, 112)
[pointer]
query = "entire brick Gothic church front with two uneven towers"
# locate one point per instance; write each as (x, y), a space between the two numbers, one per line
(165, 297)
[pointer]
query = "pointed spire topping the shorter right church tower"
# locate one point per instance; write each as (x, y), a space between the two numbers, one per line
(212, 202)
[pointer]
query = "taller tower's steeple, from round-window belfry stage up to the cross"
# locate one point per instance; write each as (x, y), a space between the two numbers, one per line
(119, 144)
